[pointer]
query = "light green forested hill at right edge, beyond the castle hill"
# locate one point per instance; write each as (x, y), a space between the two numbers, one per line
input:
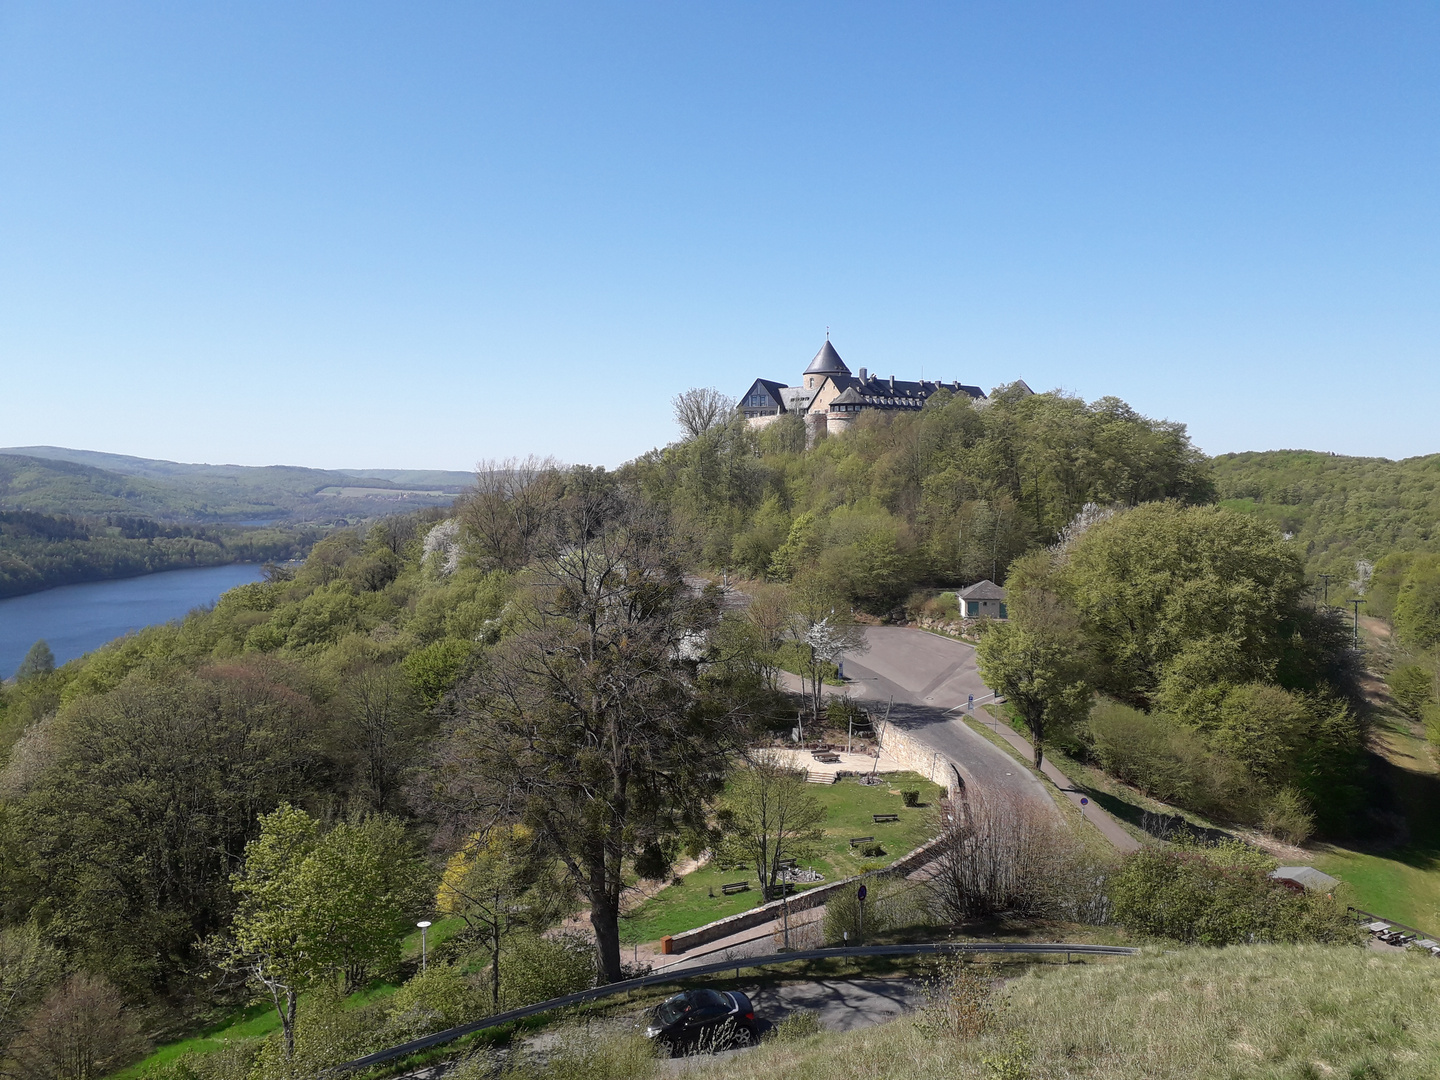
(1341, 509)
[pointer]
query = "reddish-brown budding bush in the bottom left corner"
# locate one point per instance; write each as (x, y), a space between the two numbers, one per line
(81, 1032)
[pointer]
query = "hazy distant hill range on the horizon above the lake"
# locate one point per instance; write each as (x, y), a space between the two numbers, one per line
(55, 480)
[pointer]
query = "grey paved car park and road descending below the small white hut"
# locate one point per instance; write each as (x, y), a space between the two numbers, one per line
(931, 680)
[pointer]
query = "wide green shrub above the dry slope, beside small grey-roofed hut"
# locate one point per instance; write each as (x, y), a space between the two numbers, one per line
(1220, 898)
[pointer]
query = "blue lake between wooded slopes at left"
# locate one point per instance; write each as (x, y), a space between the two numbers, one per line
(78, 618)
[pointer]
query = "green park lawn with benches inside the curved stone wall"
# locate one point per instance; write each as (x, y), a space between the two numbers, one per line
(849, 806)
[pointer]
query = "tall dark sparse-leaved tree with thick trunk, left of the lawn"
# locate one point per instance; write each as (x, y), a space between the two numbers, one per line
(587, 725)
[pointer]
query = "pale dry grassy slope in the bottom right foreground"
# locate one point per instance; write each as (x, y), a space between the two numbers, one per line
(1205, 1014)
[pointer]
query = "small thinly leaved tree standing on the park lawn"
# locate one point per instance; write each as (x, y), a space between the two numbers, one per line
(768, 816)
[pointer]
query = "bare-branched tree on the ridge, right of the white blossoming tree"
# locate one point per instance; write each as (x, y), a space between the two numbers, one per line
(510, 508)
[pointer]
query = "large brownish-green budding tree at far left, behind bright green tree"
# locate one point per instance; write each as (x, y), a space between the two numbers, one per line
(143, 803)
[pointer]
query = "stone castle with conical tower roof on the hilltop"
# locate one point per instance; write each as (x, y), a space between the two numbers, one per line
(832, 400)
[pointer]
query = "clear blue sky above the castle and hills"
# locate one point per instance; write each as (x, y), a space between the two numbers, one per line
(418, 235)
